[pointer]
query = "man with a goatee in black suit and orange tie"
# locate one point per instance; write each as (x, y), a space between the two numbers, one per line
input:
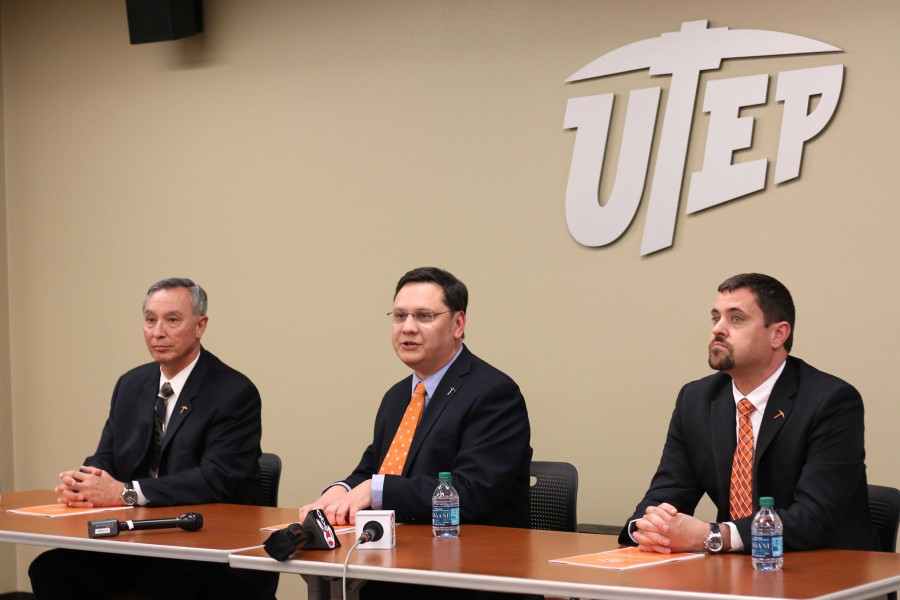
(808, 453)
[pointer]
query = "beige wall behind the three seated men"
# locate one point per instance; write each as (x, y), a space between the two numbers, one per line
(298, 157)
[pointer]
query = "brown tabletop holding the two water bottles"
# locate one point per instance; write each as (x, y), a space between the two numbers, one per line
(518, 560)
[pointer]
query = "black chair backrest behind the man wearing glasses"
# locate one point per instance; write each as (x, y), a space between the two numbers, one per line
(554, 496)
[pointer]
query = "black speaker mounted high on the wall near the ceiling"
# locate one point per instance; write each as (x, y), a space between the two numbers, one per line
(161, 20)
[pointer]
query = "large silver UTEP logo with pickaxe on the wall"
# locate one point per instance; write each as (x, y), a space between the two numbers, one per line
(684, 55)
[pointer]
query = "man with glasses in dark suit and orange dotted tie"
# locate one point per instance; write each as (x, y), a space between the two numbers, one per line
(475, 425)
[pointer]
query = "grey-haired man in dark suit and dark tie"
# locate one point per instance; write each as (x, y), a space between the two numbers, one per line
(200, 443)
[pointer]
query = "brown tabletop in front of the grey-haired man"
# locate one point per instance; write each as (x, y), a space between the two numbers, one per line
(226, 528)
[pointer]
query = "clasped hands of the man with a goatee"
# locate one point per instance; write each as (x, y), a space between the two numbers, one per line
(665, 530)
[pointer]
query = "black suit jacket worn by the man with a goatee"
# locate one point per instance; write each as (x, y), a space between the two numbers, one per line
(810, 457)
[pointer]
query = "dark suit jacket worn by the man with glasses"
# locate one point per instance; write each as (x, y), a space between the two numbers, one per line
(475, 426)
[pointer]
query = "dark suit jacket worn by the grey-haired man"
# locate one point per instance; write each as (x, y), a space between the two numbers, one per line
(211, 448)
